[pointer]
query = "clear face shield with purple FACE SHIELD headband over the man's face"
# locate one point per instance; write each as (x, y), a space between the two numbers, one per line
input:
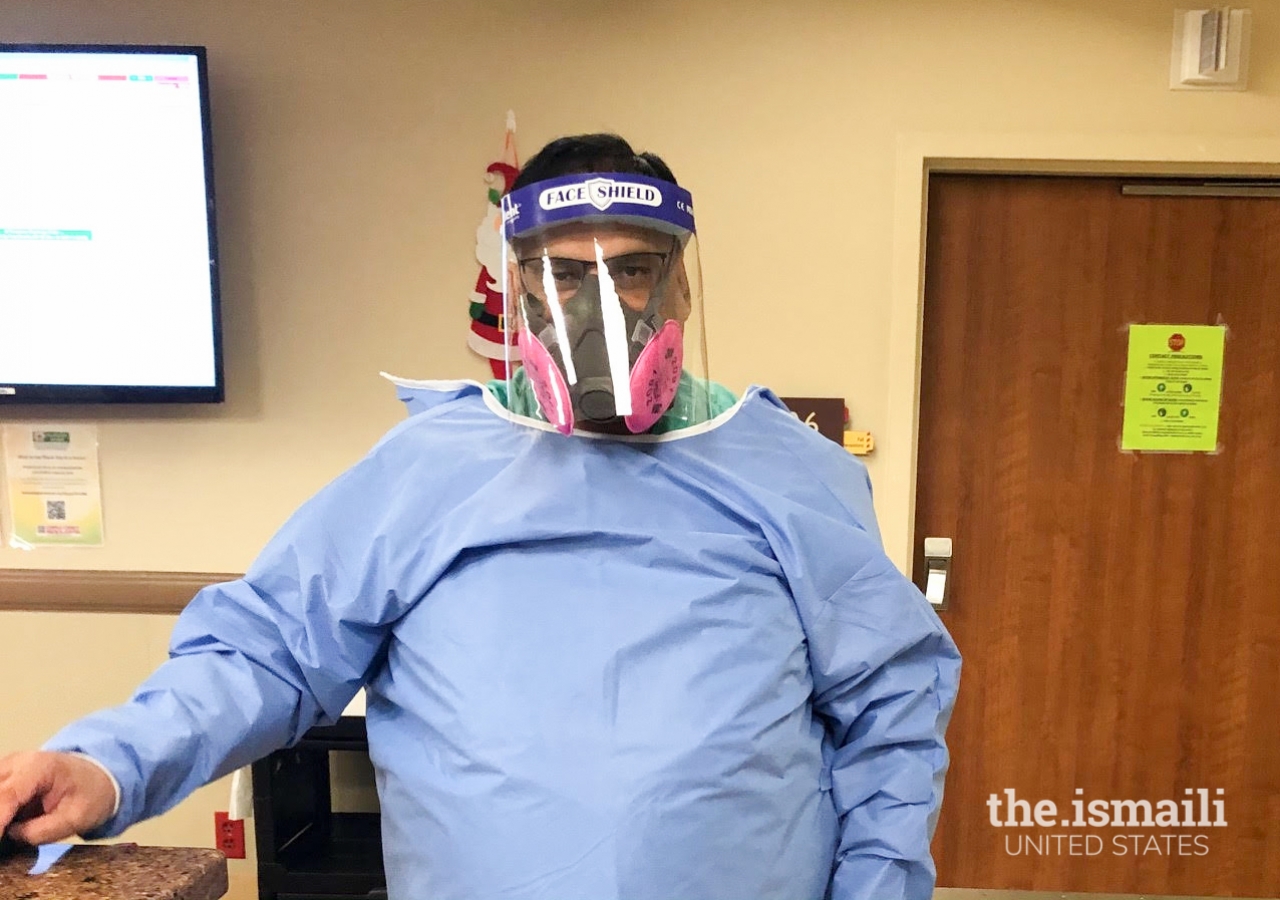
(604, 284)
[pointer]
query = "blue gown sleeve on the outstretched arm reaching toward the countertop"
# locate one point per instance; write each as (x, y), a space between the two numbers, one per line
(254, 664)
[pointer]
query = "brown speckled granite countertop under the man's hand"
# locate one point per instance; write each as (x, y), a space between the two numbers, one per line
(118, 872)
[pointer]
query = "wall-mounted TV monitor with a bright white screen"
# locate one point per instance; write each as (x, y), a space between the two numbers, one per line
(108, 252)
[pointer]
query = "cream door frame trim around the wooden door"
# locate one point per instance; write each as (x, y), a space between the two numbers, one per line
(918, 156)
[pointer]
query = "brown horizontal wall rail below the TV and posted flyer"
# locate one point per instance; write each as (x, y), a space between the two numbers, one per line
(99, 591)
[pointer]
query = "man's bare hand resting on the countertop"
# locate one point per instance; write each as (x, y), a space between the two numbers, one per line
(48, 797)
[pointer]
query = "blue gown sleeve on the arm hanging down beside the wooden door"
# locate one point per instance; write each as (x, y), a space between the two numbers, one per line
(885, 670)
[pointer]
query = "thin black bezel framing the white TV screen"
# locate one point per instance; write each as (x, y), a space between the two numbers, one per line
(19, 394)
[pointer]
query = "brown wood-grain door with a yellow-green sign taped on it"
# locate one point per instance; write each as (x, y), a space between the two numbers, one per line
(1119, 614)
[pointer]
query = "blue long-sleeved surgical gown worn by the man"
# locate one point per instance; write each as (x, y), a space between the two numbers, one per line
(675, 669)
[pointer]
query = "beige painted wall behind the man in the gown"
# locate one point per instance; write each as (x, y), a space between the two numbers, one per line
(350, 145)
